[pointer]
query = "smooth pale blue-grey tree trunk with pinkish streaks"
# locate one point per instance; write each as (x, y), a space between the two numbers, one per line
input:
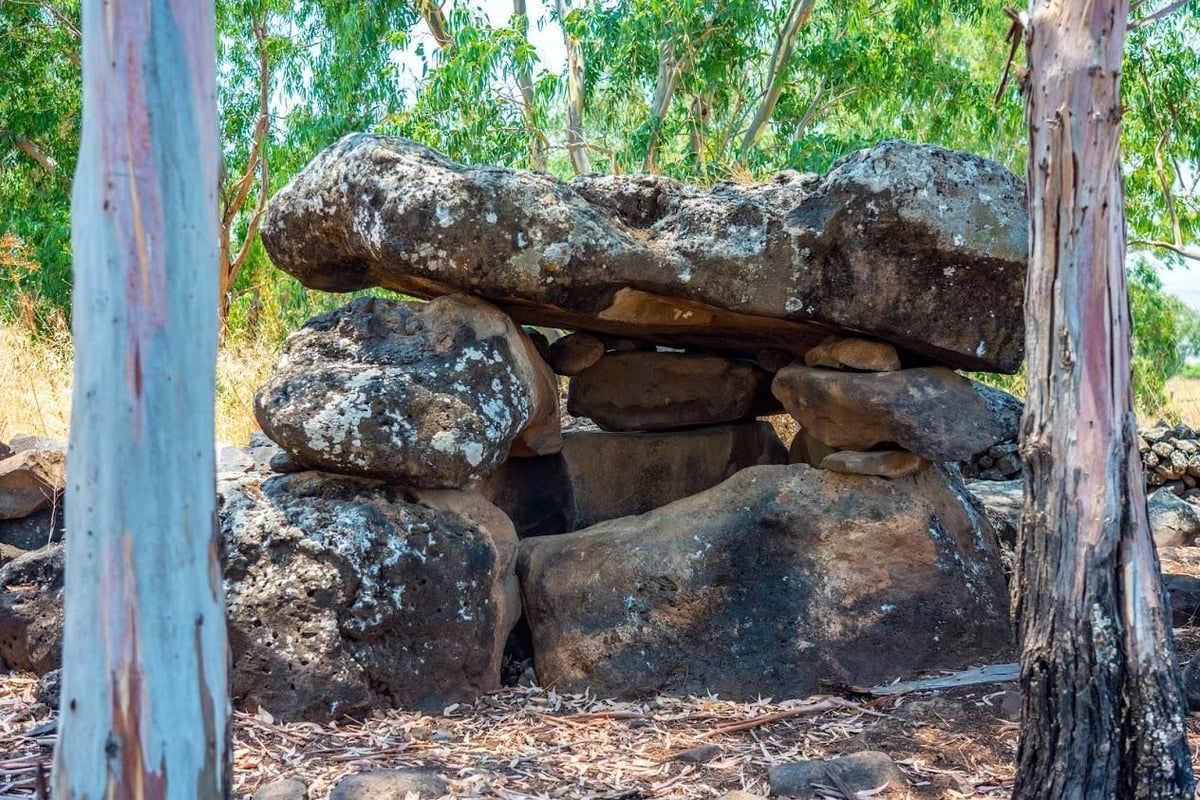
(145, 689)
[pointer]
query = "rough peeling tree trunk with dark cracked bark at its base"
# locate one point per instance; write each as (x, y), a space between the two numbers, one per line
(1103, 706)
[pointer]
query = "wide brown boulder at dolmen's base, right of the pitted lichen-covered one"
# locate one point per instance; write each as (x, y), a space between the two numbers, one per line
(776, 580)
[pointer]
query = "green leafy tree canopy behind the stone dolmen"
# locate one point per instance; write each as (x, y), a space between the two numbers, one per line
(695, 89)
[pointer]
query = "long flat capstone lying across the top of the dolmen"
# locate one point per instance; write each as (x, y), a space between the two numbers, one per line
(910, 244)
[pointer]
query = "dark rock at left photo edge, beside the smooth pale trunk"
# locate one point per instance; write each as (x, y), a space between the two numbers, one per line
(32, 611)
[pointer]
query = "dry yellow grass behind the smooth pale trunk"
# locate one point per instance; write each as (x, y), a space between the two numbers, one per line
(37, 381)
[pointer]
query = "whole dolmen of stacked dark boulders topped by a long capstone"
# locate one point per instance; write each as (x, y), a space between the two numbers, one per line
(674, 549)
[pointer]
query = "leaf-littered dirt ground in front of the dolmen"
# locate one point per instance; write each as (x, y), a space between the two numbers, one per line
(533, 743)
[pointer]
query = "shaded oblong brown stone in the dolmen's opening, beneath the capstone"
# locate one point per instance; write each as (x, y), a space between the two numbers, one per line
(663, 392)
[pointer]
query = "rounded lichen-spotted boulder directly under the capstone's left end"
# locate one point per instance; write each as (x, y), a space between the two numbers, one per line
(433, 395)
